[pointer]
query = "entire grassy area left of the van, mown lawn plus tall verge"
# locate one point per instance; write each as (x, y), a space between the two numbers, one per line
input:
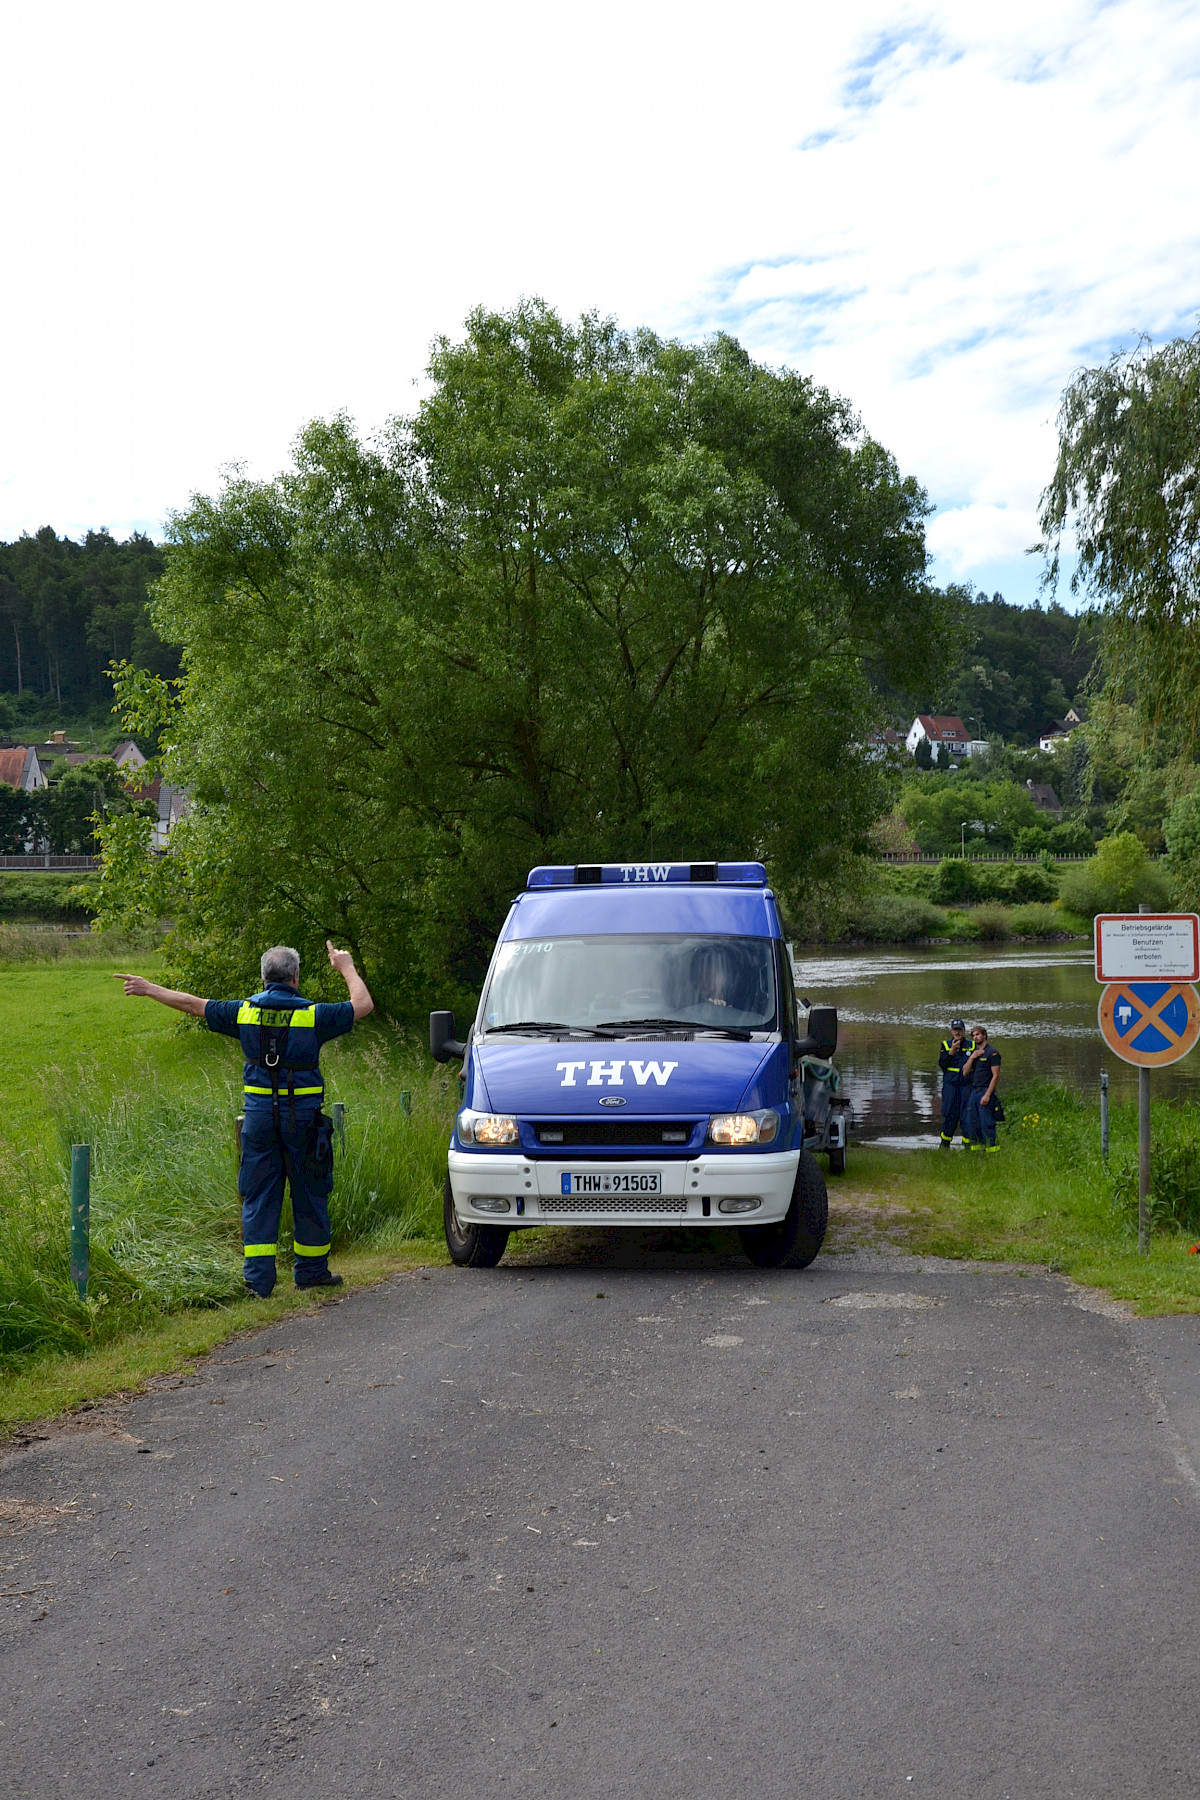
(157, 1101)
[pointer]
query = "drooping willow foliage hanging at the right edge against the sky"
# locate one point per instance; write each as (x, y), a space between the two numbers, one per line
(1129, 483)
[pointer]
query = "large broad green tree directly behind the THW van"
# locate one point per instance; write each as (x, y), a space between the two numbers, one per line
(605, 597)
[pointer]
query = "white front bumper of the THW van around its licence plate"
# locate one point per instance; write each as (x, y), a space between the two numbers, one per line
(533, 1189)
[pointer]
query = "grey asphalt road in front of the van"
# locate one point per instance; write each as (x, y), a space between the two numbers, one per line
(654, 1527)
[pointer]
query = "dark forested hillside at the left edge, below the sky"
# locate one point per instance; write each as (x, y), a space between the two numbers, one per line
(69, 609)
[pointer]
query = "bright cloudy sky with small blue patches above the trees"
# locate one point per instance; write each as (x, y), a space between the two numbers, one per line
(228, 219)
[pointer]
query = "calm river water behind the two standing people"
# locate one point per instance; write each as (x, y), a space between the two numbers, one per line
(897, 1005)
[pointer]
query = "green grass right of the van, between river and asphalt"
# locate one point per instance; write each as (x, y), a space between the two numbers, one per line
(1048, 1198)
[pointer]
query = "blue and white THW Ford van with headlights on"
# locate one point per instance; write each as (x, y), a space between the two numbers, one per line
(638, 1061)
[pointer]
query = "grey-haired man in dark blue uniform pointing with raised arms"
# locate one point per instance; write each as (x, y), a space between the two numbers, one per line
(285, 1131)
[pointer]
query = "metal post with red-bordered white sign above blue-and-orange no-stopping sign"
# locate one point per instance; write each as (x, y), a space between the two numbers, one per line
(1149, 1012)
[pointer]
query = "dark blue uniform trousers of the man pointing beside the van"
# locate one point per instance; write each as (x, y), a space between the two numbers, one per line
(267, 1158)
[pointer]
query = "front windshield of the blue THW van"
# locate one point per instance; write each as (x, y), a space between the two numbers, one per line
(586, 984)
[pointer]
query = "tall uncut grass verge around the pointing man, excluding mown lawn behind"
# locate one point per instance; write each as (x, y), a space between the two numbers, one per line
(166, 1228)
